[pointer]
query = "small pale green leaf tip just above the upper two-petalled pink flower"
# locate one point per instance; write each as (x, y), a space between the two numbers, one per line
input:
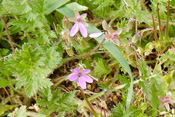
(76, 6)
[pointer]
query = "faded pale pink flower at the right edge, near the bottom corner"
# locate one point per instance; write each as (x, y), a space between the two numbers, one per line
(165, 101)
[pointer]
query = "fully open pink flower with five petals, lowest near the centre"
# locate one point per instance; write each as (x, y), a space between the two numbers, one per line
(81, 77)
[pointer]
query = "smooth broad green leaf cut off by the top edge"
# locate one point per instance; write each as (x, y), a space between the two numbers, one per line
(51, 5)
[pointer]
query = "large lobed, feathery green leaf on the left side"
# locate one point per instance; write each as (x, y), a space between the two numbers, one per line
(33, 66)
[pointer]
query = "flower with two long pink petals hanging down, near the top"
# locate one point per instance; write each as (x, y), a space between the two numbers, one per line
(79, 24)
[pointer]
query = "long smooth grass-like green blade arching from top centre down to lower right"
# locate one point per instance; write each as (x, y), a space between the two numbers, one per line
(110, 47)
